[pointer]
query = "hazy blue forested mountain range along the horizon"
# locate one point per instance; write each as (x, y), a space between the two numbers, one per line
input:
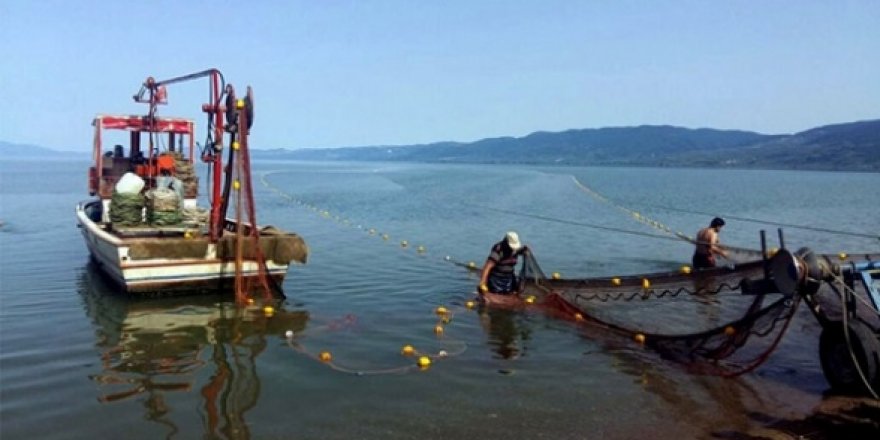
(851, 146)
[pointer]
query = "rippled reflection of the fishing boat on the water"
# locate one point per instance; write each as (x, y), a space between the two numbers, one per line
(203, 347)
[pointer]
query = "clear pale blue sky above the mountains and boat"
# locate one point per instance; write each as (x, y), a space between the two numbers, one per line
(351, 73)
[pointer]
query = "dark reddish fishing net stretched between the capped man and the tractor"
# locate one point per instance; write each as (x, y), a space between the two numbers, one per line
(709, 320)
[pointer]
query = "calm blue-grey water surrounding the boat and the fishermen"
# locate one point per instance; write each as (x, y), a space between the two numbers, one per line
(78, 360)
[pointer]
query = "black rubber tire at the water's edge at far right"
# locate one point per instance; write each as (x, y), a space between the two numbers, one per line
(837, 363)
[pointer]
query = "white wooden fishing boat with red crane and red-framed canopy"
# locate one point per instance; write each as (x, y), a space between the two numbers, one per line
(145, 229)
